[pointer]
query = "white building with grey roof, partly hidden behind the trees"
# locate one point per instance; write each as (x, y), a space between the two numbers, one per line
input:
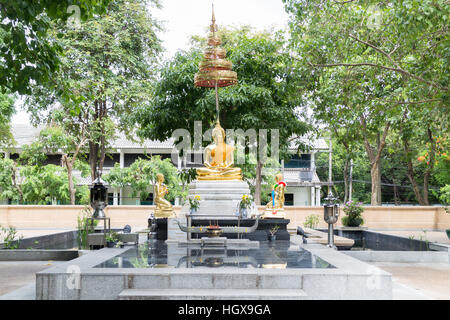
(303, 184)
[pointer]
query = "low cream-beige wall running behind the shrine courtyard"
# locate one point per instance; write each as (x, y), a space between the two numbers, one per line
(21, 216)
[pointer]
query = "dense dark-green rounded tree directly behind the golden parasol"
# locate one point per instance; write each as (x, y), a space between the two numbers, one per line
(264, 98)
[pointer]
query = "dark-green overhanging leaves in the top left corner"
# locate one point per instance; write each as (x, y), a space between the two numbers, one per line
(26, 54)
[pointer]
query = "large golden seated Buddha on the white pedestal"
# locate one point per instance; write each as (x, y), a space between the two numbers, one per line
(219, 159)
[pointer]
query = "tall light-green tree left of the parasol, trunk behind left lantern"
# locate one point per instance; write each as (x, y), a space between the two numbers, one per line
(106, 71)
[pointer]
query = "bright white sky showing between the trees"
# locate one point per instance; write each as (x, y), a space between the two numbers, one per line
(183, 18)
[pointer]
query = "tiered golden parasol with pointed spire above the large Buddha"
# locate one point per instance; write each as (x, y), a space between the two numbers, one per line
(215, 70)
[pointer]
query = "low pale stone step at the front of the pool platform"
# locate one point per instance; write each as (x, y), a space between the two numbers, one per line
(212, 294)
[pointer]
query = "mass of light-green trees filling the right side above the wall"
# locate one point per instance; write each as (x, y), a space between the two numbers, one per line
(371, 68)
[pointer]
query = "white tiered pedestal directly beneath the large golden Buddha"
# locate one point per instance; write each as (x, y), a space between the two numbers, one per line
(217, 197)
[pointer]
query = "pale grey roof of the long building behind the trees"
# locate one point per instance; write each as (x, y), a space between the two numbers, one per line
(25, 134)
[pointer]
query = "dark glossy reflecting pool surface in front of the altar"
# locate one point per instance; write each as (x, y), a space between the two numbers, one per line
(158, 254)
